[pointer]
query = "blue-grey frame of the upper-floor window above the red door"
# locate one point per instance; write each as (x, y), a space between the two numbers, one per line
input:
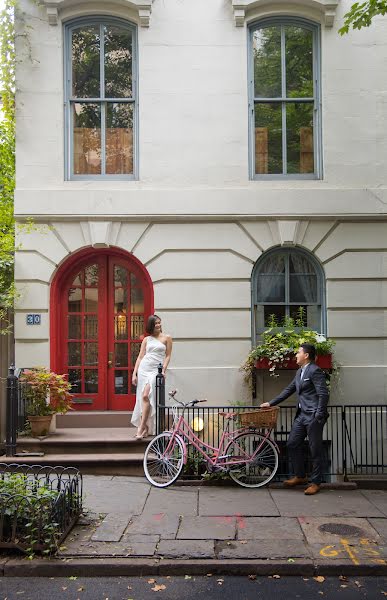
(69, 26)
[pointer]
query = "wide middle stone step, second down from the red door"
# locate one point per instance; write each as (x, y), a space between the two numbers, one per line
(79, 441)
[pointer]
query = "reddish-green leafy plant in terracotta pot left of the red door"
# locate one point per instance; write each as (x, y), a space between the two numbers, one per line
(46, 393)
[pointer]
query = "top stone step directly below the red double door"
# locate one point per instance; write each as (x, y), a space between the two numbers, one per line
(93, 419)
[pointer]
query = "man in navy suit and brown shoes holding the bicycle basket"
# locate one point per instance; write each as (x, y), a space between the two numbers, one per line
(313, 397)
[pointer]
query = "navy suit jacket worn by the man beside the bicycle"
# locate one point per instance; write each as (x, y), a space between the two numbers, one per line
(312, 392)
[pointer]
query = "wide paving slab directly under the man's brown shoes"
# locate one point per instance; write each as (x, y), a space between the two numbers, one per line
(294, 503)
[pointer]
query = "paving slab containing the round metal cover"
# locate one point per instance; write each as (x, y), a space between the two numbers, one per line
(351, 529)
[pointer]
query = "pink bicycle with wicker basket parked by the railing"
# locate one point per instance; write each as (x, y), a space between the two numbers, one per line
(248, 455)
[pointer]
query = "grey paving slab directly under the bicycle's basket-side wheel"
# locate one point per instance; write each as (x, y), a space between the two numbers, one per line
(237, 501)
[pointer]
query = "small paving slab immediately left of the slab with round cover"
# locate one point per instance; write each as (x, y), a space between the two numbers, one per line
(282, 528)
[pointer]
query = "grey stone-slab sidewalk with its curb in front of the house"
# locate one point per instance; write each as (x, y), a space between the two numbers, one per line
(133, 528)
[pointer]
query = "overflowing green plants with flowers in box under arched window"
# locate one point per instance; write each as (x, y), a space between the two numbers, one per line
(280, 343)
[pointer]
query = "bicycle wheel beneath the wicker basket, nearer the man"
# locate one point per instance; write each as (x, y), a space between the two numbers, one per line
(264, 466)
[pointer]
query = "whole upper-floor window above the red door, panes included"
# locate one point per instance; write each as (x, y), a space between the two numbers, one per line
(100, 98)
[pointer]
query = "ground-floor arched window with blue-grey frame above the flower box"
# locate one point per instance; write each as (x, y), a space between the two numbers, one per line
(284, 279)
